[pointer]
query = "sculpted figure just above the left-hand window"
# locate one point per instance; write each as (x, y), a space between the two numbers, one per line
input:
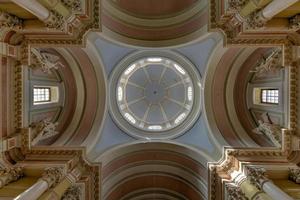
(47, 61)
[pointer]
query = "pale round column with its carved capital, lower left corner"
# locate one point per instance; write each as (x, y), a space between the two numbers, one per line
(51, 177)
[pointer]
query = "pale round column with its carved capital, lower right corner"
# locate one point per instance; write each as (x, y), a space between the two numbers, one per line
(256, 176)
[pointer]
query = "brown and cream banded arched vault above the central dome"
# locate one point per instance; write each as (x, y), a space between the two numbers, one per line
(142, 22)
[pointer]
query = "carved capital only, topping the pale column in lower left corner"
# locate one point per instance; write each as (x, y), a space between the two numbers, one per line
(53, 175)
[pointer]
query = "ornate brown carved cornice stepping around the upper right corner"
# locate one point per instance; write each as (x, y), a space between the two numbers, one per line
(227, 20)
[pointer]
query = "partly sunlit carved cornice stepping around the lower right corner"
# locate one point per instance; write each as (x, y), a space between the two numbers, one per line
(235, 159)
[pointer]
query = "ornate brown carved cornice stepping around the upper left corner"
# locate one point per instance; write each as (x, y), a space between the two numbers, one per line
(73, 31)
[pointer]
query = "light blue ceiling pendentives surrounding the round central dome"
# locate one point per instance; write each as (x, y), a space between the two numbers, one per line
(197, 137)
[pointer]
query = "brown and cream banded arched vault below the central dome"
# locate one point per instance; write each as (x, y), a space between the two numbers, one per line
(153, 169)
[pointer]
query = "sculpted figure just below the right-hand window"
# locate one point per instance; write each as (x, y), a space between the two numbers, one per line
(272, 131)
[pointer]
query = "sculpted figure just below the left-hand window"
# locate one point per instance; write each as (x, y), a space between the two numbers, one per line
(42, 130)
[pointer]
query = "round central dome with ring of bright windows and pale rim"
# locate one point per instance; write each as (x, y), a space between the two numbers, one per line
(155, 94)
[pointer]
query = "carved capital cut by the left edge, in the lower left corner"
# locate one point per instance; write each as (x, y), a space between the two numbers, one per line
(10, 175)
